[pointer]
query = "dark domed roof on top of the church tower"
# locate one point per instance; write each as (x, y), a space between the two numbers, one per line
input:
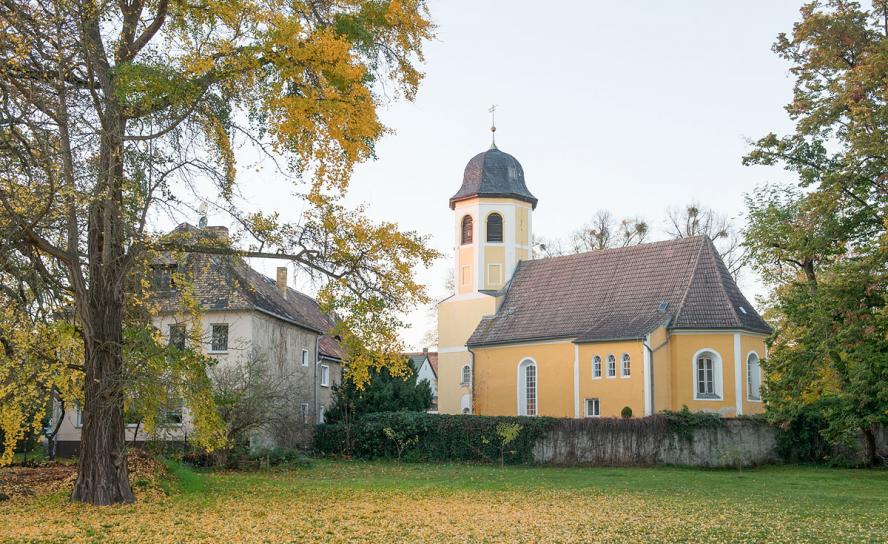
(493, 174)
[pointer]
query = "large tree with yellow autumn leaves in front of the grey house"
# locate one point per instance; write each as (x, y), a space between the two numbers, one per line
(115, 113)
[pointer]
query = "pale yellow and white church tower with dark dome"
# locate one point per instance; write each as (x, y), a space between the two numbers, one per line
(492, 233)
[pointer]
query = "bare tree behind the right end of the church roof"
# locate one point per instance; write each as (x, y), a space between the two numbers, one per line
(697, 220)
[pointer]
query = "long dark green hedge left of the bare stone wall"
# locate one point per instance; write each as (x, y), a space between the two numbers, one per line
(432, 437)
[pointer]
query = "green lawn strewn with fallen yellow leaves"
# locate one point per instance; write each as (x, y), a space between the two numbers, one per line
(381, 502)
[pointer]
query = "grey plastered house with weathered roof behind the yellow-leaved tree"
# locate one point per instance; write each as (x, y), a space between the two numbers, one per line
(246, 318)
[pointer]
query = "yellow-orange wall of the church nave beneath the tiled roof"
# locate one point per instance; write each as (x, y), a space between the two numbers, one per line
(559, 395)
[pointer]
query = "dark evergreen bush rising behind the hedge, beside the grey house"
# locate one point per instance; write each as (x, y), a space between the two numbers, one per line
(384, 392)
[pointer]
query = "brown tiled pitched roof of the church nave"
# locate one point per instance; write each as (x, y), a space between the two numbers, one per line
(620, 293)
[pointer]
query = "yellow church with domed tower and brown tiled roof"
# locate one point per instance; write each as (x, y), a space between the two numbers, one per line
(607, 333)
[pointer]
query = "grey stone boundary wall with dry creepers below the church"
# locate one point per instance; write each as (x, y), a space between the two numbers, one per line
(651, 441)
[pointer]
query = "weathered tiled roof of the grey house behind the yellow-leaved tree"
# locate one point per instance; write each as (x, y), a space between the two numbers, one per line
(223, 282)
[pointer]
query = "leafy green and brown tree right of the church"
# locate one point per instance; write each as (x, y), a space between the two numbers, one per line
(823, 247)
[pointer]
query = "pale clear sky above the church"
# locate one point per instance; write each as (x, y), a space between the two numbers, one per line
(629, 106)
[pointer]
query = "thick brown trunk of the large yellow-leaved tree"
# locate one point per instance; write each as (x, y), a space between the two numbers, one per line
(102, 472)
